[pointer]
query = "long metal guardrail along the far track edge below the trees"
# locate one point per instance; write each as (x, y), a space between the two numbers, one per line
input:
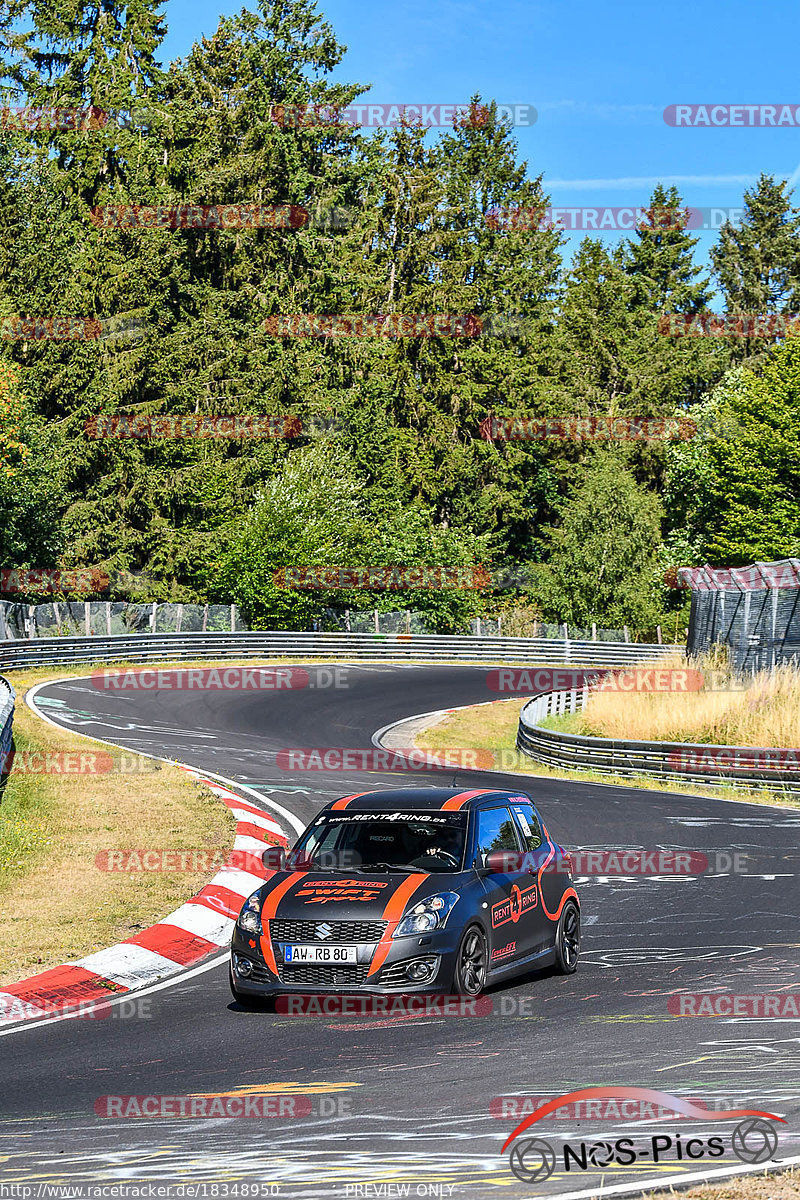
(434, 649)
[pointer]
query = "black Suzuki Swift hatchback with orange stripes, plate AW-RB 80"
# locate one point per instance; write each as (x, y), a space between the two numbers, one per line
(426, 890)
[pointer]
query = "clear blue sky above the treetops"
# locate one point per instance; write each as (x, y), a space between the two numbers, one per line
(600, 77)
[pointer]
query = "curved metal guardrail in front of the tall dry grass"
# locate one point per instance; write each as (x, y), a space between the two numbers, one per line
(723, 765)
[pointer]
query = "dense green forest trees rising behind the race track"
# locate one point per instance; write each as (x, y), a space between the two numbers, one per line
(407, 478)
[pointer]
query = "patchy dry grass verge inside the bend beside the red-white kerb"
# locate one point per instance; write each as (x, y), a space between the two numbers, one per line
(56, 904)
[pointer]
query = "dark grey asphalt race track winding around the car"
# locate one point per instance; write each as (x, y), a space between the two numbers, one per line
(407, 1101)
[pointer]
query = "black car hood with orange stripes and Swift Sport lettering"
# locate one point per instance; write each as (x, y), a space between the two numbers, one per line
(339, 896)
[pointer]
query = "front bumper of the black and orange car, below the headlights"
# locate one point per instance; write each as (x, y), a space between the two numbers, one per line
(437, 949)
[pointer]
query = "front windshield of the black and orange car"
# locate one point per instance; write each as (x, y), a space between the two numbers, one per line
(383, 842)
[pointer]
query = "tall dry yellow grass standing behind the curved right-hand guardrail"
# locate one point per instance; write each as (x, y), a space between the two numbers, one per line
(765, 713)
